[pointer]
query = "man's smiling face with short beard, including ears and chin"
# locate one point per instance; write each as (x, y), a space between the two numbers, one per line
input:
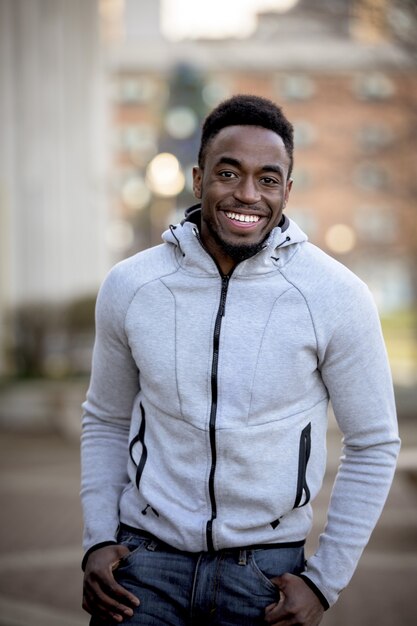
(244, 184)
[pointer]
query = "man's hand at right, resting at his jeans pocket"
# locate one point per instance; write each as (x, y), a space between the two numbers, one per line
(298, 604)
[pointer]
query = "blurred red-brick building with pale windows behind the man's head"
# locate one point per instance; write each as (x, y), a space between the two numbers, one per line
(344, 81)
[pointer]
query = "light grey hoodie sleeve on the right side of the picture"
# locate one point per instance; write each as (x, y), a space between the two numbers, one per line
(355, 370)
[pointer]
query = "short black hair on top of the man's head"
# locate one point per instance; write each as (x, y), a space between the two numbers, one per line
(247, 110)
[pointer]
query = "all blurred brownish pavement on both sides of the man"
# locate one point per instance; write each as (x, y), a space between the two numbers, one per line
(40, 516)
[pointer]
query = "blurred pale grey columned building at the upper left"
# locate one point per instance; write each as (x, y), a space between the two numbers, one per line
(52, 154)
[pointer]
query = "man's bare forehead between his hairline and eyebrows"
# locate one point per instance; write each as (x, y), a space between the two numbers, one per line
(248, 144)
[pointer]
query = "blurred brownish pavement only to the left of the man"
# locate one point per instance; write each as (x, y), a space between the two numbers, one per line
(40, 516)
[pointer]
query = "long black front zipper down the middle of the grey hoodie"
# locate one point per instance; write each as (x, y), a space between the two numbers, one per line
(213, 411)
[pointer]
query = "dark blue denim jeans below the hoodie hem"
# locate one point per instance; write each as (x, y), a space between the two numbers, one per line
(224, 588)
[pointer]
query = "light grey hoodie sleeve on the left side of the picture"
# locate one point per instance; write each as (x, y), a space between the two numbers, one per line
(107, 414)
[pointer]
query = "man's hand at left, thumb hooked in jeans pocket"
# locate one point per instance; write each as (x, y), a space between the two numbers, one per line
(103, 597)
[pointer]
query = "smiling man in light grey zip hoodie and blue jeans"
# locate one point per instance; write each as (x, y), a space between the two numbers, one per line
(204, 429)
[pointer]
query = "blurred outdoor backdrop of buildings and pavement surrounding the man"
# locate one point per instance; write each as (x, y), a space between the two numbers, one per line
(101, 103)
